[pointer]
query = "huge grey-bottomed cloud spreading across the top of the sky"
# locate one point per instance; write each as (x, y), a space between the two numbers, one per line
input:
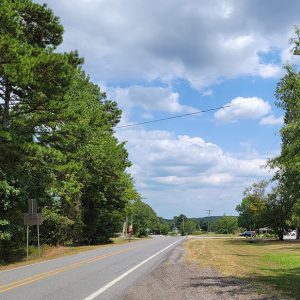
(200, 41)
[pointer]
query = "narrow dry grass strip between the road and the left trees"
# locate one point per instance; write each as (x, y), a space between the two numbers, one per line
(51, 252)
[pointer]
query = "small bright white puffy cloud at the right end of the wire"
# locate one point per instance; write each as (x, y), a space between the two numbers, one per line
(241, 108)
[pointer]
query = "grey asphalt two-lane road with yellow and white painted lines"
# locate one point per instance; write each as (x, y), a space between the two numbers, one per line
(98, 274)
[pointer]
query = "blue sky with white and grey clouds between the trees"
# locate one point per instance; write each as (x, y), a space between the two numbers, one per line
(158, 59)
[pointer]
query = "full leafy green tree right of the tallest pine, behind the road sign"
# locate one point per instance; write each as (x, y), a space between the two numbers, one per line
(93, 183)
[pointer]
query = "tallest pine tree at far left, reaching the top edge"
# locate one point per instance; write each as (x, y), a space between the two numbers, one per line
(33, 79)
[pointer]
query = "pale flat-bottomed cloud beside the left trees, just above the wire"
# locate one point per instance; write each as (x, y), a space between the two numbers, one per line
(150, 99)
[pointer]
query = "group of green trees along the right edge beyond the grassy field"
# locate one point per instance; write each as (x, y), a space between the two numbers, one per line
(276, 204)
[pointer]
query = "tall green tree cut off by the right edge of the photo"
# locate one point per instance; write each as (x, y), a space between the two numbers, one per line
(288, 162)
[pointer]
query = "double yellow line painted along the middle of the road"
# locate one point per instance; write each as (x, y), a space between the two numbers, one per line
(40, 276)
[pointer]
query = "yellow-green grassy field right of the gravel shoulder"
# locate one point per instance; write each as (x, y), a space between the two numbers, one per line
(272, 267)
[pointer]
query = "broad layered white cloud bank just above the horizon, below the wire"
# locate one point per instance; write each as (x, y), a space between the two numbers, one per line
(170, 169)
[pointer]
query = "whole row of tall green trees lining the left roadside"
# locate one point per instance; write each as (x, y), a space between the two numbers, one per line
(57, 142)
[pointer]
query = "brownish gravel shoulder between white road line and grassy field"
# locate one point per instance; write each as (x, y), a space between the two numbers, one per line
(176, 279)
